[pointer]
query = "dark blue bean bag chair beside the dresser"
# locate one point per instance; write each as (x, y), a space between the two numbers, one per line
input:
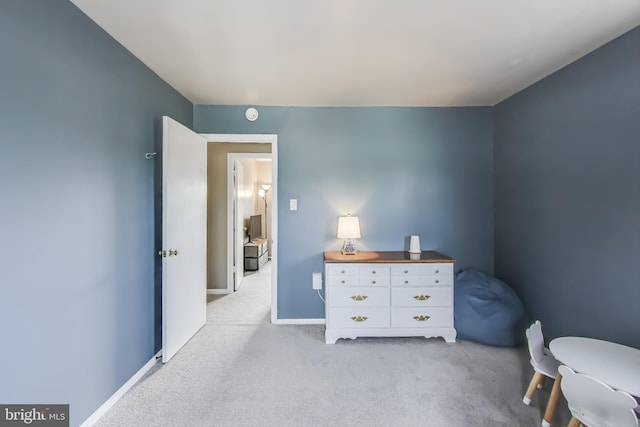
(487, 310)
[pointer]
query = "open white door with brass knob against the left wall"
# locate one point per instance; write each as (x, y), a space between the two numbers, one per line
(184, 230)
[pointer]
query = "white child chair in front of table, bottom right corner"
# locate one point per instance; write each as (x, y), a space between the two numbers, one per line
(595, 404)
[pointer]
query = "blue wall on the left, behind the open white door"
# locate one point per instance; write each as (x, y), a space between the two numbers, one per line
(77, 113)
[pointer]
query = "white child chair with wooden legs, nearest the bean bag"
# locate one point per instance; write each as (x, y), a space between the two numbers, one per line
(543, 362)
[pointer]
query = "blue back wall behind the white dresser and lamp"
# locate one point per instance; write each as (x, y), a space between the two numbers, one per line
(403, 171)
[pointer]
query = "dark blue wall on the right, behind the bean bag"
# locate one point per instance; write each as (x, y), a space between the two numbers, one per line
(567, 212)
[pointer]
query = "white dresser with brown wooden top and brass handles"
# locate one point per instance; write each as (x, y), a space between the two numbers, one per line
(388, 294)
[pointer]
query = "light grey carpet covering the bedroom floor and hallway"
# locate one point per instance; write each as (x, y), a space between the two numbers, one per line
(241, 370)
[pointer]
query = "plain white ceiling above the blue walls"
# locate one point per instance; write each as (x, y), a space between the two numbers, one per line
(359, 52)
